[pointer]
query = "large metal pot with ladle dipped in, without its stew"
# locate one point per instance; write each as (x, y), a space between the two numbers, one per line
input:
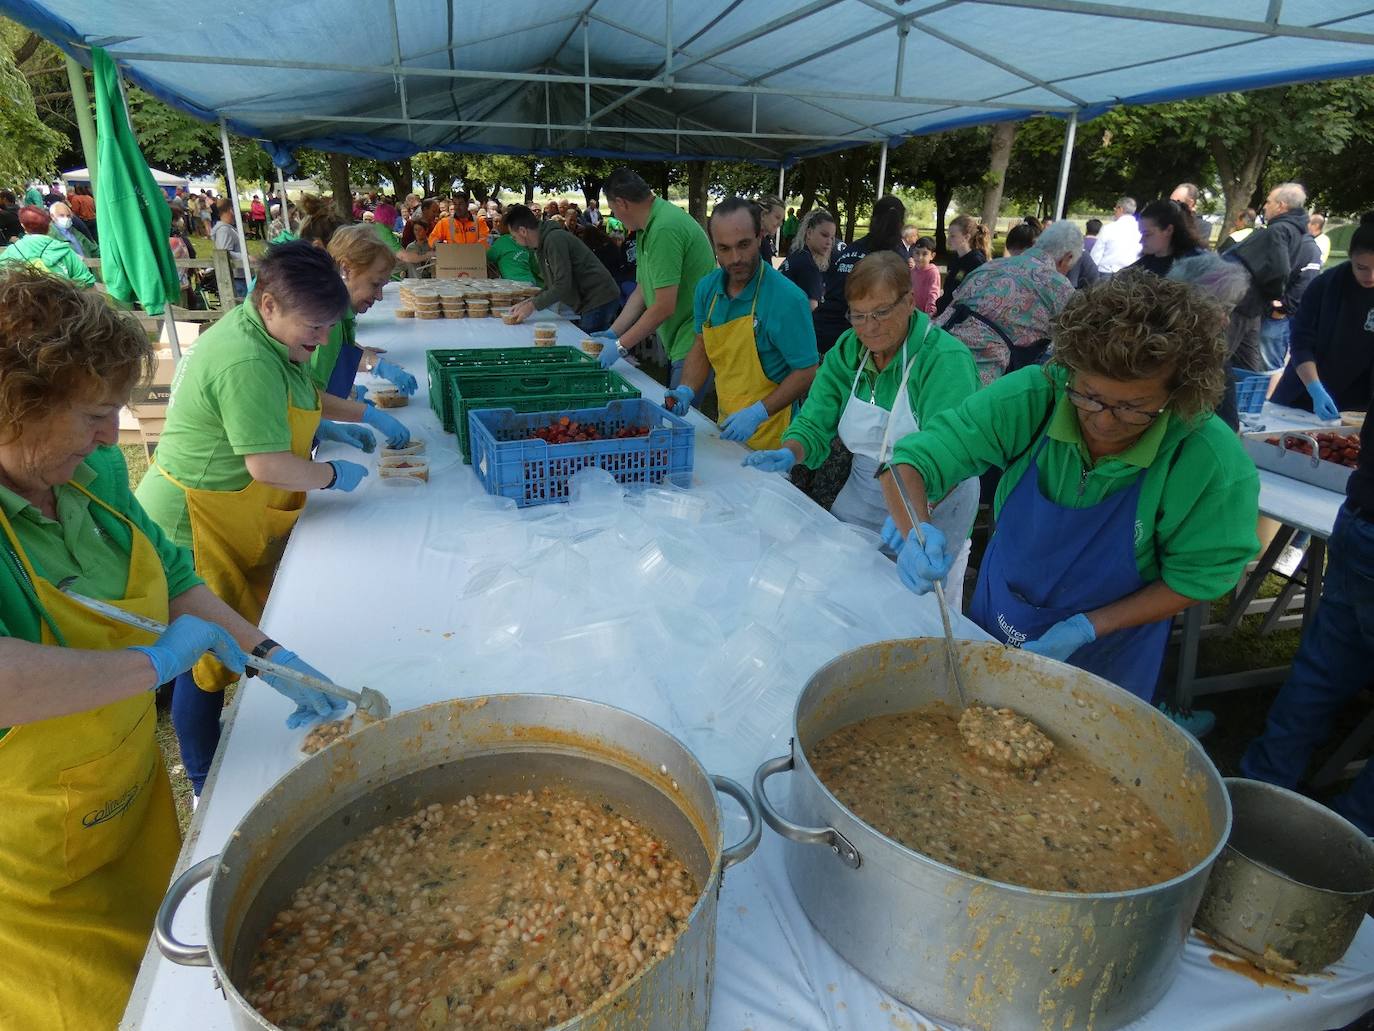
(972, 951)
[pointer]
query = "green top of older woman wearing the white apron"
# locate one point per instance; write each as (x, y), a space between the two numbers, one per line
(943, 376)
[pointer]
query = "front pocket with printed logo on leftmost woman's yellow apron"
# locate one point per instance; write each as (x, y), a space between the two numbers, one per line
(106, 799)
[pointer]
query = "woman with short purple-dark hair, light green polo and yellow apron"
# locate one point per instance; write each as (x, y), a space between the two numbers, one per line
(234, 464)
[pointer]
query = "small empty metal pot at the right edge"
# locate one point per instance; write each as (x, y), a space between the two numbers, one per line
(1294, 882)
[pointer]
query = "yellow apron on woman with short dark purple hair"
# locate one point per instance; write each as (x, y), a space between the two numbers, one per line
(238, 540)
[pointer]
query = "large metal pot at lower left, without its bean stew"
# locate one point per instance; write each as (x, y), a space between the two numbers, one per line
(442, 753)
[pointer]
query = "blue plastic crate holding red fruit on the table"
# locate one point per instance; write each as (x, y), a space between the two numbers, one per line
(513, 464)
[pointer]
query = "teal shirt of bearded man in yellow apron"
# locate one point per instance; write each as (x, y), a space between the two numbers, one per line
(784, 331)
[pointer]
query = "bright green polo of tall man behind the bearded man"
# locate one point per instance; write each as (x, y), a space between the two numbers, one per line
(674, 251)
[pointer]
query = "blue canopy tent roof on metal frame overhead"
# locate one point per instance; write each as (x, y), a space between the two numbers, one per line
(767, 80)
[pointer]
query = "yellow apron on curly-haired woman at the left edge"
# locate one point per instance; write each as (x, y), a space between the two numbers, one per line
(89, 832)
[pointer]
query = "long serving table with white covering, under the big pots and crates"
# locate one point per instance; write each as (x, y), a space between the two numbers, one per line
(359, 596)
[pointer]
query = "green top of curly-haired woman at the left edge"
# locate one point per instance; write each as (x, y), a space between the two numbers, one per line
(86, 542)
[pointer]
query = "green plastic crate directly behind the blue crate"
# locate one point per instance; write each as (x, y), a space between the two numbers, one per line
(530, 391)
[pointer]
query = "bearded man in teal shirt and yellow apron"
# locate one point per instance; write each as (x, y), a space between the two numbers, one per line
(754, 335)
